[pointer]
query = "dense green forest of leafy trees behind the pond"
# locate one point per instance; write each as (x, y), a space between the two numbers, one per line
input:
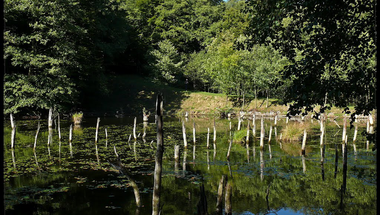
(57, 53)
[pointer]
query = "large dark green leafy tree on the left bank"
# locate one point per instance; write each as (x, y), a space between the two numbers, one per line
(54, 50)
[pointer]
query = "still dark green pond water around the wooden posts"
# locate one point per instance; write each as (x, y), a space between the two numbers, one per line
(79, 179)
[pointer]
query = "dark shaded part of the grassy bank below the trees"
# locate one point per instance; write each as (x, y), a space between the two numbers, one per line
(129, 94)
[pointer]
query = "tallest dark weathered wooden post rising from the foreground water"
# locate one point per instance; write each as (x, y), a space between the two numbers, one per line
(158, 160)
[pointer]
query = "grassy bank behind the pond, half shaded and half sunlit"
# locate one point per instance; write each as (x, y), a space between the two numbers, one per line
(129, 94)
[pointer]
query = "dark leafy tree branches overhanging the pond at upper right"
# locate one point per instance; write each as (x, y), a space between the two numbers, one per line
(337, 41)
